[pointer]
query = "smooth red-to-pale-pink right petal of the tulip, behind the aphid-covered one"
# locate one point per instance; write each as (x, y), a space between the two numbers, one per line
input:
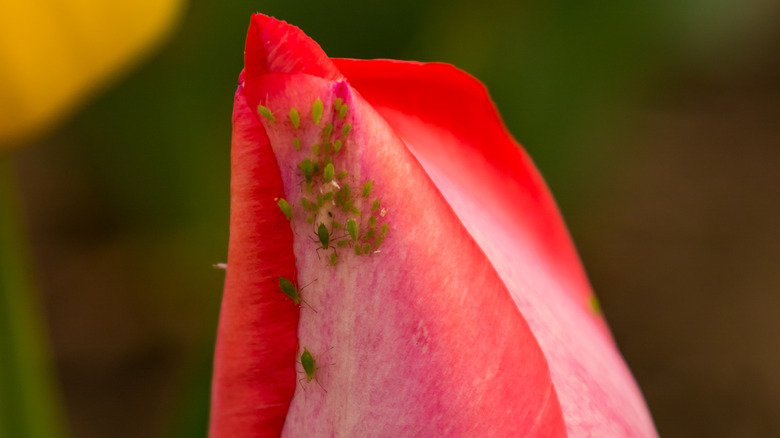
(448, 121)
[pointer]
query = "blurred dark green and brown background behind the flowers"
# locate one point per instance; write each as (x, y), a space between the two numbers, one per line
(656, 124)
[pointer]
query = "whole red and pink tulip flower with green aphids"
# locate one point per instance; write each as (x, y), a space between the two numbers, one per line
(397, 266)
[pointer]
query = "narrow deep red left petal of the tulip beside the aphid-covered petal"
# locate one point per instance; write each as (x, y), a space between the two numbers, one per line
(254, 375)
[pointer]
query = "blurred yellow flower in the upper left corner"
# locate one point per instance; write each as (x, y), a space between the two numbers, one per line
(55, 53)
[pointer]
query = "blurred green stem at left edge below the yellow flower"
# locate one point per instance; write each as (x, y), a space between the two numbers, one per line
(29, 399)
